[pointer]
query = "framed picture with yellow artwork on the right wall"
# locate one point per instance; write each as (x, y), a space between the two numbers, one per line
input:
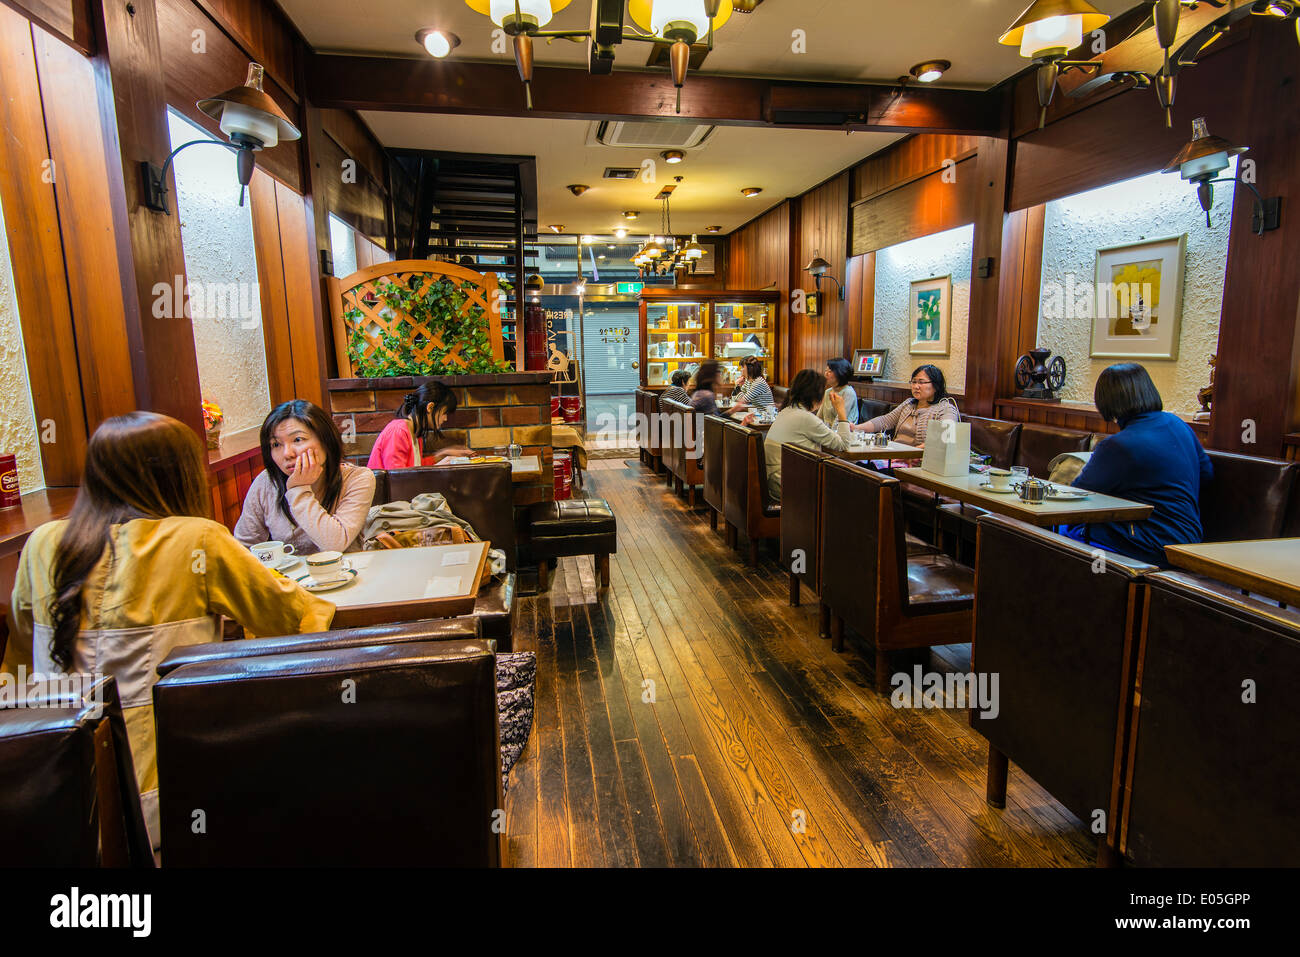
(1139, 300)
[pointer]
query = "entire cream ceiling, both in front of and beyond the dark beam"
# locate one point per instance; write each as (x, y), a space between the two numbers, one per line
(846, 41)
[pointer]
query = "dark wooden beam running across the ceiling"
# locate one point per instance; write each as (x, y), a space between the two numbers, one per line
(430, 86)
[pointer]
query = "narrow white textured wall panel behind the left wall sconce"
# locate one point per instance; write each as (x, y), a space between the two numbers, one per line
(219, 250)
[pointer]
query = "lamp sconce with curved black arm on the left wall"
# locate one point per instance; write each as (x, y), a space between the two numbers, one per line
(253, 122)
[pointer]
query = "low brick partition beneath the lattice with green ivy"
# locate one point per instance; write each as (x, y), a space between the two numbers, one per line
(493, 412)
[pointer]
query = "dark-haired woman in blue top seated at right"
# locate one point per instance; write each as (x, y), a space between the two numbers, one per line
(1155, 458)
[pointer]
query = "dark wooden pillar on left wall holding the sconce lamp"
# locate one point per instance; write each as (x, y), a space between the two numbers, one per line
(133, 109)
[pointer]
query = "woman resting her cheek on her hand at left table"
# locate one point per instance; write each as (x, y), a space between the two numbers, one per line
(307, 496)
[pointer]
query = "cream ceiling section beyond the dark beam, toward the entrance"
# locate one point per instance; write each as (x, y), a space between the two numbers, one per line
(783, 163)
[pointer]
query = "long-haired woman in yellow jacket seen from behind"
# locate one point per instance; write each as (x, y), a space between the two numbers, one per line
(137, 570)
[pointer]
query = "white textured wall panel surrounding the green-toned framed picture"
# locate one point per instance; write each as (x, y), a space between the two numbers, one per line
(898, 267)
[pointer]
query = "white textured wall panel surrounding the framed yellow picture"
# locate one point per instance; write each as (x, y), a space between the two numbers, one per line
(1149, 207)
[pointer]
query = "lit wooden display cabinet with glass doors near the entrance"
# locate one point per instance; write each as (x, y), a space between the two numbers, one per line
(682, 328)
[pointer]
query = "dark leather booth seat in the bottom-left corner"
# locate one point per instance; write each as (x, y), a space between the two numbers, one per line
(70, 796)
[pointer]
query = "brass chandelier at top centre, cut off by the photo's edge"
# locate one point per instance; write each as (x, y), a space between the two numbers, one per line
(681, 23)
